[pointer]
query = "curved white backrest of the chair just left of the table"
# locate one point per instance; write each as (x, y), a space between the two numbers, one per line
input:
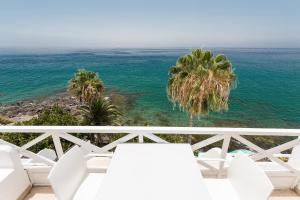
(68, 173)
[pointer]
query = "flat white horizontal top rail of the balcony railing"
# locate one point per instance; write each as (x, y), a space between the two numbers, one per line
(151, 129)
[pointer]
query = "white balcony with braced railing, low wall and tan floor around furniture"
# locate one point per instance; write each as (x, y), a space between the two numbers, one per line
(281, 168)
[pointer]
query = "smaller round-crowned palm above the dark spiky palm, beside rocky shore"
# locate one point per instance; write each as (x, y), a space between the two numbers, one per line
(86, 85)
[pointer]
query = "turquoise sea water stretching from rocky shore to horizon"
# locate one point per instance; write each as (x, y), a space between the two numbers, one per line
(268, 92)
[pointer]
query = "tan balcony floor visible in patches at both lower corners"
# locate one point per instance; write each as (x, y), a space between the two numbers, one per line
(45, 193)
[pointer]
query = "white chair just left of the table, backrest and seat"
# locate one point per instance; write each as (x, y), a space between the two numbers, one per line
(70, 179)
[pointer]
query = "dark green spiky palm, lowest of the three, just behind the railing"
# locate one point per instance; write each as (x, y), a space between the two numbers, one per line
(100, 112)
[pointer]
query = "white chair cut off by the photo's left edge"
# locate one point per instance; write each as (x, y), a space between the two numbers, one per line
(14, 181)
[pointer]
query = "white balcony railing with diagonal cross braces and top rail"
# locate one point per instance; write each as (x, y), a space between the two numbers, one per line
(217, 134)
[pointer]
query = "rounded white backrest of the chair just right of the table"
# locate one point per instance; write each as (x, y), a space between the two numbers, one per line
(248, 179)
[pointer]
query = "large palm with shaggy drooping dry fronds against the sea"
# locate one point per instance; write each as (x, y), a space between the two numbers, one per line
(200, 83)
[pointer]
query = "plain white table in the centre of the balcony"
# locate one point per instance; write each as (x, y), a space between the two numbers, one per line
(153, 172)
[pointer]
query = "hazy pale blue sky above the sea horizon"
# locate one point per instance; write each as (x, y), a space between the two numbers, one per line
(151, 23)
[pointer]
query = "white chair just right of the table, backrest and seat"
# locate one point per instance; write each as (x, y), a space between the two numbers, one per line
(245, 181)
